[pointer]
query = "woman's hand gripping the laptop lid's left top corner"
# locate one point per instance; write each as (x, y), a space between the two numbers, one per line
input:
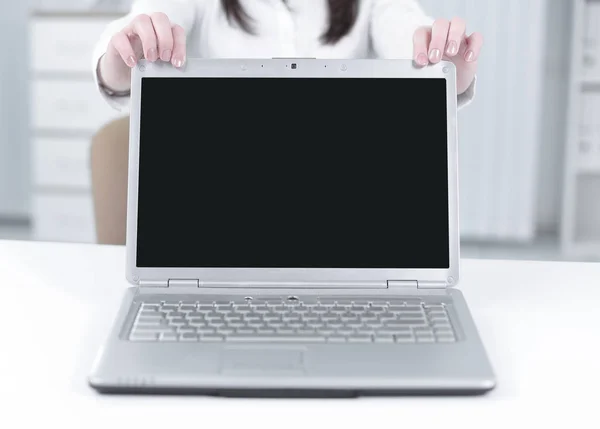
(152, 37)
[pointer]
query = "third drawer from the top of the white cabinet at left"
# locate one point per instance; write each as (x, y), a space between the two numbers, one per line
(61, 162)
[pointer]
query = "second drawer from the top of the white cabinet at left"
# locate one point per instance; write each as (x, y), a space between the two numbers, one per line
(69, 105)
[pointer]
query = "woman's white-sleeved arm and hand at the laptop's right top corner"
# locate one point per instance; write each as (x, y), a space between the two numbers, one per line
(400, 29)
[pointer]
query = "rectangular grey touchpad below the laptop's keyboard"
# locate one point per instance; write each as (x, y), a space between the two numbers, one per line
(242, 359)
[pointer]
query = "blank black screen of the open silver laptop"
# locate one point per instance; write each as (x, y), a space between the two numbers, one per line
(293, 173)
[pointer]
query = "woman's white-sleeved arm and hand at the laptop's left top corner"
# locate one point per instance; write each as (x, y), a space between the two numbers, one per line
(112, 69)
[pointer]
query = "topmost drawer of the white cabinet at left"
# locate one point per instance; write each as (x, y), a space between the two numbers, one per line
(65, 44)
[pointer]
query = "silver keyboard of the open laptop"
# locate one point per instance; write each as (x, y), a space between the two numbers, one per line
(292, 320)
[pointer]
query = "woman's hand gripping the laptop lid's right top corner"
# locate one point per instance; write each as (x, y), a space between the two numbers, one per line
(448, 40)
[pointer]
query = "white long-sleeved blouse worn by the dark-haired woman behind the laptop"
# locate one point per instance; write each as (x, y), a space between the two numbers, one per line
(383, 29)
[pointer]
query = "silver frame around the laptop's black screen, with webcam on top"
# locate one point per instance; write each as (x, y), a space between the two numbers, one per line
(282, 68)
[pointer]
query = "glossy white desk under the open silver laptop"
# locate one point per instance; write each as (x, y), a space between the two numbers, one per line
(540, 323)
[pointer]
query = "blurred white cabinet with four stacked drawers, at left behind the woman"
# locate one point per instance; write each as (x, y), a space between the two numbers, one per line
(66, 111)
